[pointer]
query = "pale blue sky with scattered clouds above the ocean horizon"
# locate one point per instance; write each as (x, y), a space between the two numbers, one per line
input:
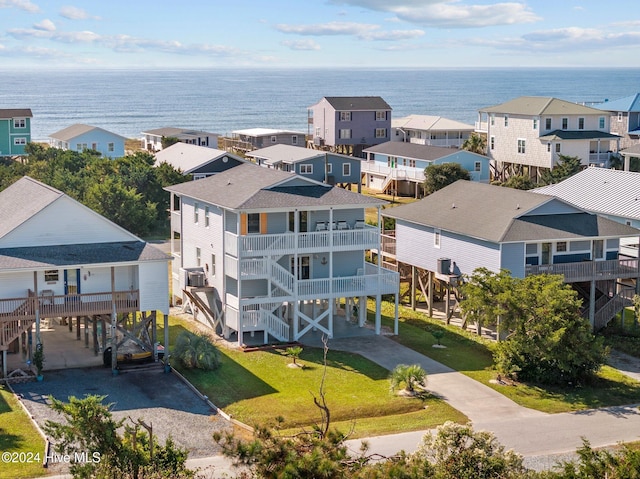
(83, 34)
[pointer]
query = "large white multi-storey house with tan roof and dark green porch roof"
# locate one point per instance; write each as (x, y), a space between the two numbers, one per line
(528, 134)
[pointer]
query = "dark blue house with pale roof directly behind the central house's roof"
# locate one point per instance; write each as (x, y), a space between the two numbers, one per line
(326, 167)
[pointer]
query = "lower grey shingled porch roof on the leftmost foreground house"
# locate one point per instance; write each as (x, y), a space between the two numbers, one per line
(43, 257)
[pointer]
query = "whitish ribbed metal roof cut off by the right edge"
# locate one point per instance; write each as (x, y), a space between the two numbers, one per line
(601, 190)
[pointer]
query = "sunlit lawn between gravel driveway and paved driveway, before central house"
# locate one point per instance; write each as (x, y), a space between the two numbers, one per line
(259, 386)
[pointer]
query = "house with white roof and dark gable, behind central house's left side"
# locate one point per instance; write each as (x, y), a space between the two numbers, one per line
(195, 161)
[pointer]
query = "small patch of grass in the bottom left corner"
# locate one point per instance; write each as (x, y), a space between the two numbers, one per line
(17, 434)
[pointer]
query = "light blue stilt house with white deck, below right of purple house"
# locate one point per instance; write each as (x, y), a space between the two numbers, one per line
(399, 166)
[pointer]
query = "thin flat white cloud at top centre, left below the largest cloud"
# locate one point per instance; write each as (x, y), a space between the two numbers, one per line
(363, 31)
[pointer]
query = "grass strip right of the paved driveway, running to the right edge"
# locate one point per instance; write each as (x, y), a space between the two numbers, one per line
(472, 356)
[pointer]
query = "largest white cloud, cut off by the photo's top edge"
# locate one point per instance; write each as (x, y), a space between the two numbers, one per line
(451, 13)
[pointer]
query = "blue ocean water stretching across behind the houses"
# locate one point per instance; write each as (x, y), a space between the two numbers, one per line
(222, 100)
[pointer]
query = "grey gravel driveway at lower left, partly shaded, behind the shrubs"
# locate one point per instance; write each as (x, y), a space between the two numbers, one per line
(152, 395)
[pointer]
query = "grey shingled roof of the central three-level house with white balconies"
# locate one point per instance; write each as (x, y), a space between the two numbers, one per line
(251, 187)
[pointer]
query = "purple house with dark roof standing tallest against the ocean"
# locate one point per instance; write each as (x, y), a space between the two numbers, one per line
(349, 124)
